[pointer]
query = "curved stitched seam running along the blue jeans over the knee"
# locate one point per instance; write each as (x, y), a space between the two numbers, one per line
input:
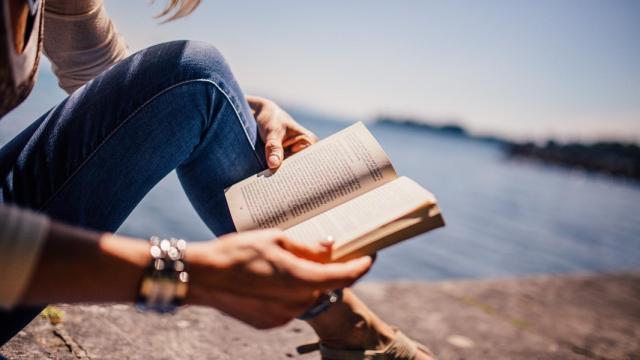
(133, 113)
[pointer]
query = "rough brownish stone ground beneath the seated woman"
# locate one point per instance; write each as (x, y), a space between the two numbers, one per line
(566, 317)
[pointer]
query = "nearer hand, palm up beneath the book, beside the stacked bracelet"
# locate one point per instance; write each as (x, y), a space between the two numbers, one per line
(263, 278)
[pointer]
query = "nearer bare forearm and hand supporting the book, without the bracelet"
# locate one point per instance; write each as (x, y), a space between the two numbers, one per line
(259, 277)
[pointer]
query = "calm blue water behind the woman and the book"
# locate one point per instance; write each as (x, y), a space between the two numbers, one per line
(504, 217)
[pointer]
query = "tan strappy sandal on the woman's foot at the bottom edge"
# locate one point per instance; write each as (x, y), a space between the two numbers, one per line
(401, 348)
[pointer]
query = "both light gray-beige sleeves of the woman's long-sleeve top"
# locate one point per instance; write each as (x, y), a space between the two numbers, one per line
(81, 42)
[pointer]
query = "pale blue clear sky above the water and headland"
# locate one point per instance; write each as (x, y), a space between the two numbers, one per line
(569, 69)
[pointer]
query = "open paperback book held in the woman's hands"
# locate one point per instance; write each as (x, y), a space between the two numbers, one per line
(345, 187)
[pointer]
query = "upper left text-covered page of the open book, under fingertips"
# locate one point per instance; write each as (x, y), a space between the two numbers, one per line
(329, 173)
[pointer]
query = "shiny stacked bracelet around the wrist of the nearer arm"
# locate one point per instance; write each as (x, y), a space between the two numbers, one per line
(164, 282)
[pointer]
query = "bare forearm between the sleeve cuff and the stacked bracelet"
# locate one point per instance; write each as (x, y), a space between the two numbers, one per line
(77, 265)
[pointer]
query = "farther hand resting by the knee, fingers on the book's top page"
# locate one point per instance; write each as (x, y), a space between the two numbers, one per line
(281, 134)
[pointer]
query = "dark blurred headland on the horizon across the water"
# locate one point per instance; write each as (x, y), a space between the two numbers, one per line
(614, 158)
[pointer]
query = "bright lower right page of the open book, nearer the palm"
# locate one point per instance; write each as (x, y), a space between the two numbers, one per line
(364, 214)
